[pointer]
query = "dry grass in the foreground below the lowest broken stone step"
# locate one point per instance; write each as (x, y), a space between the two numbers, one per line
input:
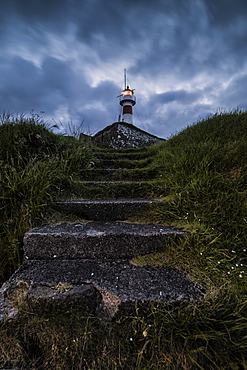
(208, 335)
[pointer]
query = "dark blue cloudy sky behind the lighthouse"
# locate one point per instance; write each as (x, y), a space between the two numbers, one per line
(185, 58)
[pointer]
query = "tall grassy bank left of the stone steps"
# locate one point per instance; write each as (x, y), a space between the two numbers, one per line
(34, 165)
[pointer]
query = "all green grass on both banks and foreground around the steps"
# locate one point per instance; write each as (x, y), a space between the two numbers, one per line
(202, 175)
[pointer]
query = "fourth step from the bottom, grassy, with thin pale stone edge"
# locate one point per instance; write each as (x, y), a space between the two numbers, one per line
(115, 189)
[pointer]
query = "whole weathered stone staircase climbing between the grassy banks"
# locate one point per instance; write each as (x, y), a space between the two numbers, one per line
(89, 263)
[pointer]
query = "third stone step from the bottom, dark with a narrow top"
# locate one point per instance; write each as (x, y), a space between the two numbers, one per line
(105, 209)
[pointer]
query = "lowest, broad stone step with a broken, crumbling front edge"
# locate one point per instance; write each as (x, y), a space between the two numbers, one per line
(103, 288)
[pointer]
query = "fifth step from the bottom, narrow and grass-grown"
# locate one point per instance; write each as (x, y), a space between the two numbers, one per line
(119, 174)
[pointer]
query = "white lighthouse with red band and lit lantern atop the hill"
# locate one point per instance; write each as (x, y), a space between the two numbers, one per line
(127, 100)
